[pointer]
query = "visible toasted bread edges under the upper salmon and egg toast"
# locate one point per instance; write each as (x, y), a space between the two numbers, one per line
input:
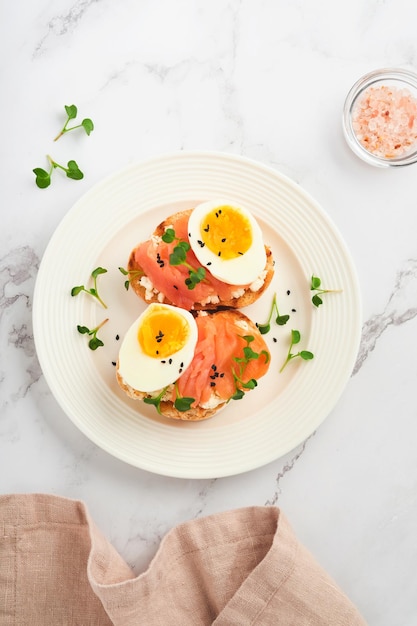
(248, 297)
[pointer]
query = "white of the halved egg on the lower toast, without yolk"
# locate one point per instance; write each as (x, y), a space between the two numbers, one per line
(146, 373)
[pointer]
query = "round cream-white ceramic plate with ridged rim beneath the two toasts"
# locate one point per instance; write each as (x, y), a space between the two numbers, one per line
(103, 227)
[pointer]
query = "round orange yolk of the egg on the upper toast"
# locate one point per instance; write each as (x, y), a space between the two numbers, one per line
(226, 232)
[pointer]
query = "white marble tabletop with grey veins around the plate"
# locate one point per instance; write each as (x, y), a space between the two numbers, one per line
(266, 80)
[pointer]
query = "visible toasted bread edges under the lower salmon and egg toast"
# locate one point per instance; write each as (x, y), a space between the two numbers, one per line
(245, 326)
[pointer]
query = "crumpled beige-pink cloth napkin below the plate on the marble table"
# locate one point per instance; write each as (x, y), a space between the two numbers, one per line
(238, 568)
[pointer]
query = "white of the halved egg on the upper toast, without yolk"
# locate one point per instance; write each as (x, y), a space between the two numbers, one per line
(241, 270)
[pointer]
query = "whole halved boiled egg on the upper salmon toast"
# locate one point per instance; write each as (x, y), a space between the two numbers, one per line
(227, 240)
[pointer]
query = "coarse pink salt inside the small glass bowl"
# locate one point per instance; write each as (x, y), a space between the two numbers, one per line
(385, 121)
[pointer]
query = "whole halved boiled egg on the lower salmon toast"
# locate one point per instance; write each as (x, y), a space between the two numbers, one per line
(158, 347)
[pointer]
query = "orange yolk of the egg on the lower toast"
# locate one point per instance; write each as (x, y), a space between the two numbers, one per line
(163, 333)
